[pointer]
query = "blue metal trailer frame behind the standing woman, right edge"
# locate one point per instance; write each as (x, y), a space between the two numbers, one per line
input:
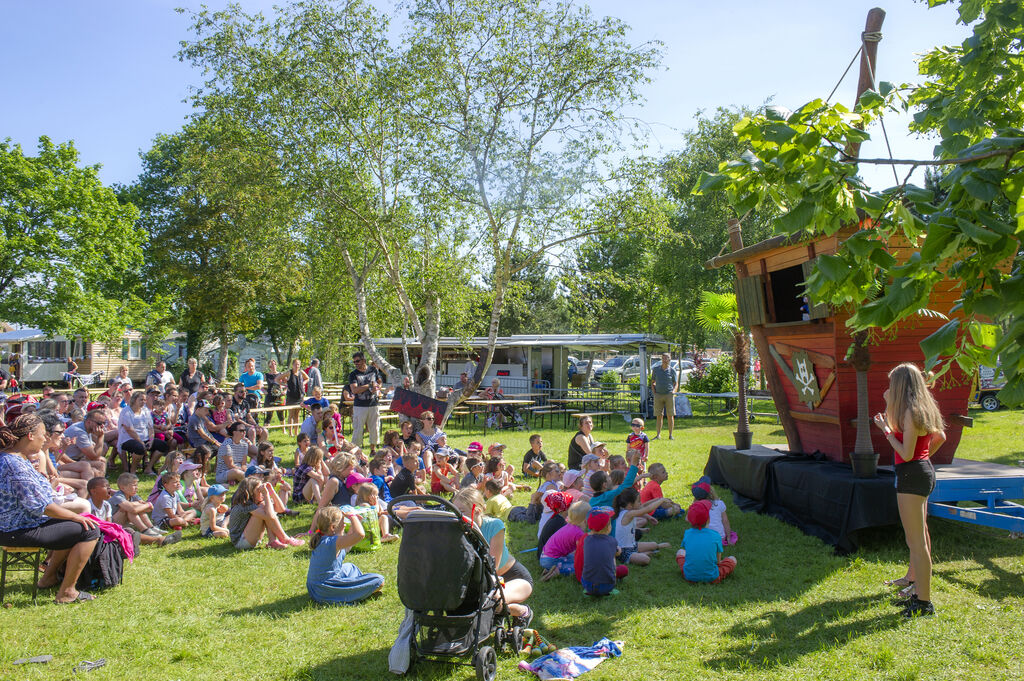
(994, 486)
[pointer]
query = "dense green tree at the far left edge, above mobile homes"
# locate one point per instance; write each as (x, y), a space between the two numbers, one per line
(67, 246)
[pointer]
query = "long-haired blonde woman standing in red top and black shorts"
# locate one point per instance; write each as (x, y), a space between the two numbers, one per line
(913, 424)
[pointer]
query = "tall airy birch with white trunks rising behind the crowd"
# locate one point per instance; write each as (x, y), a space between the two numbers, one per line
(436, 161)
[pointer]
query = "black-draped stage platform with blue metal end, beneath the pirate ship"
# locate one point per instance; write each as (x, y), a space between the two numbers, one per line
(825, 500)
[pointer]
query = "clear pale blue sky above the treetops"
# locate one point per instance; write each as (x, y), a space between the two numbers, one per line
(105, 74)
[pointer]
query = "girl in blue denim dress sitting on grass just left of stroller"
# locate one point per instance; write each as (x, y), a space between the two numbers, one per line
(330, 580)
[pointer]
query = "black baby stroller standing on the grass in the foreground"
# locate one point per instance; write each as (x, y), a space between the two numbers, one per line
(447, 579)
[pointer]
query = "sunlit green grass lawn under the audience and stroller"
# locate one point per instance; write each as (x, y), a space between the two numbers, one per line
(792, 610)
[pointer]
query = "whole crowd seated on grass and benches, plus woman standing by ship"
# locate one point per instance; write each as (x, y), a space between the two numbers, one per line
(592, 514)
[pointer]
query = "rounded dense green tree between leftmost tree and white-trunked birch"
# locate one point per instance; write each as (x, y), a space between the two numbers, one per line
(222, 226)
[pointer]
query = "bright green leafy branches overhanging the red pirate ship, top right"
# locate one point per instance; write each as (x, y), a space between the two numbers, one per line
(973, 99)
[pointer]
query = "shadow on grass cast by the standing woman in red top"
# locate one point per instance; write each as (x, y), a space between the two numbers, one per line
(777, 639)
